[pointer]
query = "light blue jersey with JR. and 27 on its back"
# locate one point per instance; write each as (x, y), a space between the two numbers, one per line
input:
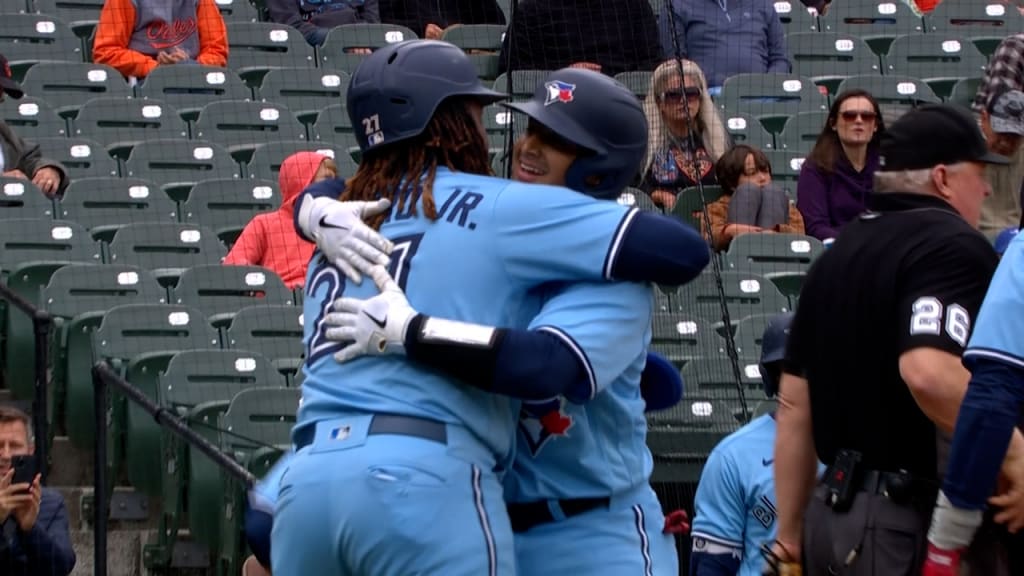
(493, 244)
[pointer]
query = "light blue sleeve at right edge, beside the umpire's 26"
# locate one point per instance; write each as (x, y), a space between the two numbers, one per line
(997, 334)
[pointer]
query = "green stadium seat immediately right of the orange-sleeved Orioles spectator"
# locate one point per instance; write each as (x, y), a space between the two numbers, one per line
(255, 48)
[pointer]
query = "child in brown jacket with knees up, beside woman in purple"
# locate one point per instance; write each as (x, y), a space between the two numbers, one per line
(750, 203)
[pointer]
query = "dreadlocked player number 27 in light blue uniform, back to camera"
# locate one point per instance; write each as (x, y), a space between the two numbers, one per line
(398, 472)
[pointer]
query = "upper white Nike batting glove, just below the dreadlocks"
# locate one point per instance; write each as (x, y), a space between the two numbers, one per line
(343, 236)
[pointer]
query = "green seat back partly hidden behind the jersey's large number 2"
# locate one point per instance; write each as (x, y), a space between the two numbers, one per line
(275, 332)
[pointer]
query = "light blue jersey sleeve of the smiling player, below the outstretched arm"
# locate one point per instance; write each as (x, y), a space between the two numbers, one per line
(605, 325)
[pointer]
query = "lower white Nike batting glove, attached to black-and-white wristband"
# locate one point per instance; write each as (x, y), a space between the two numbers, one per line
(375, 326)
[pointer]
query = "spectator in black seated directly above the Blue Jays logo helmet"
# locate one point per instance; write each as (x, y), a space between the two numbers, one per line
(611, 36)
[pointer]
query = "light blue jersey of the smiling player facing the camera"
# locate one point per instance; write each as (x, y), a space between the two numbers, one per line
(599, 448)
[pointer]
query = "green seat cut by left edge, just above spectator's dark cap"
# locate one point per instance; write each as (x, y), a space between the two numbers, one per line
(29, 39)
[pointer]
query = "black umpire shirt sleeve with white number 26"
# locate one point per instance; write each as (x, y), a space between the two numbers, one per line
(942, 293)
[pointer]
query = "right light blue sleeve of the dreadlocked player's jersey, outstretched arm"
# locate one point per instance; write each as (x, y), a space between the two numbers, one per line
(551, 234)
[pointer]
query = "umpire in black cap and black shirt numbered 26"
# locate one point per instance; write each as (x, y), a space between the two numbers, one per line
(873, 363)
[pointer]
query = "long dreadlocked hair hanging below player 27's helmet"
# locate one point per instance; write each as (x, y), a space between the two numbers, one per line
(451, 140)
